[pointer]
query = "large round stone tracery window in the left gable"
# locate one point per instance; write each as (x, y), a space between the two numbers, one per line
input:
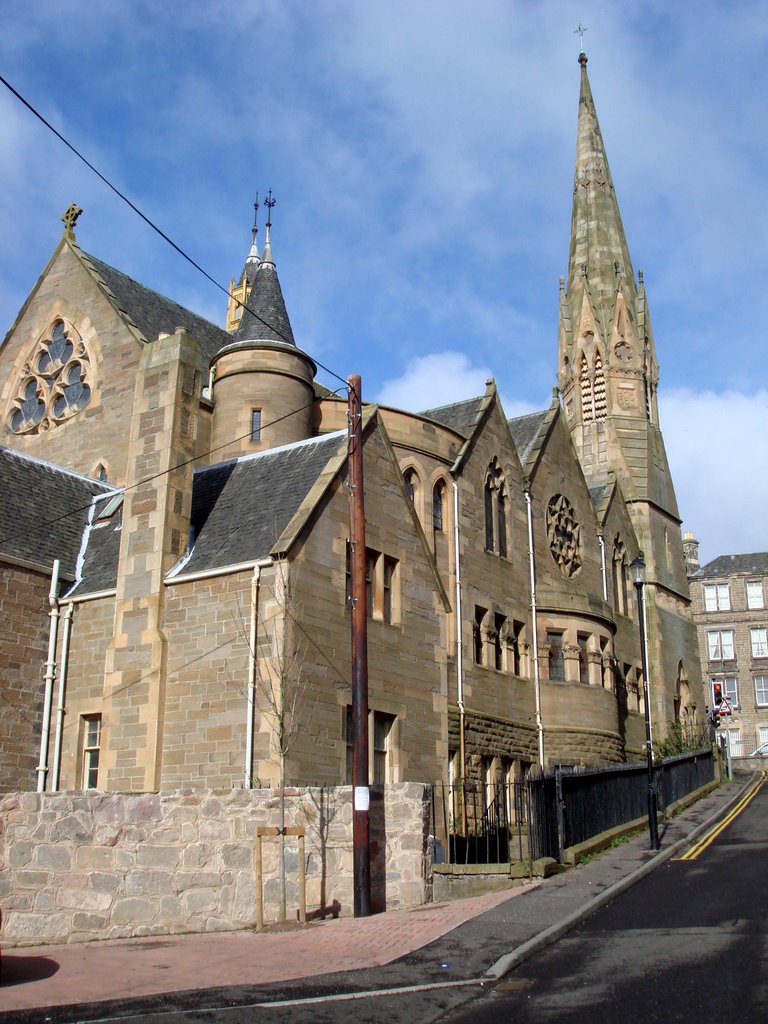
(55, 386)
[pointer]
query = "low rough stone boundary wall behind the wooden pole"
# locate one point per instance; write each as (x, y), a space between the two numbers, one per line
(77, 867)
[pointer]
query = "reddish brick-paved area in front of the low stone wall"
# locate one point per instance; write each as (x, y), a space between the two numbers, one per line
(82, 973)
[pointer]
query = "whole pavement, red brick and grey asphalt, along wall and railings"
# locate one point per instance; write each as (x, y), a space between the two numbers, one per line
(467, 943)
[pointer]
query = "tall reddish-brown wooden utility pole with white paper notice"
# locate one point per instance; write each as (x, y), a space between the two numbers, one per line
(361, 832)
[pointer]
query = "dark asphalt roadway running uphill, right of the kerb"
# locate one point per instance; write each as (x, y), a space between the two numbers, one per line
(687, 945)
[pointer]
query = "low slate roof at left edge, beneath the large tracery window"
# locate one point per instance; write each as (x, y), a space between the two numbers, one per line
(44, 510)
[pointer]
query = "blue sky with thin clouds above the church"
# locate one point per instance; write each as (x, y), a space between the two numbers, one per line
(422, 157)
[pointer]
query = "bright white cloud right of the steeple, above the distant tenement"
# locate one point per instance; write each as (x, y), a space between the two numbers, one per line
(716, 447)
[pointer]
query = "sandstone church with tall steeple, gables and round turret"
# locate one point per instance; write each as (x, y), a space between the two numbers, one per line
(175, 554)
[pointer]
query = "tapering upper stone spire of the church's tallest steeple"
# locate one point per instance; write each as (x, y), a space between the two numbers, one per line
(600, 257)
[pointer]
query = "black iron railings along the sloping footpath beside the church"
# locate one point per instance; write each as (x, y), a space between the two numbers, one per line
(548, 812)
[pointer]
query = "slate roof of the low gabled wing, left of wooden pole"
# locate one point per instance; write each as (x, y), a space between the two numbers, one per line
(242, 507)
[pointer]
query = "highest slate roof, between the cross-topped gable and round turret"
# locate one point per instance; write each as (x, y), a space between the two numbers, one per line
(154, 314)
